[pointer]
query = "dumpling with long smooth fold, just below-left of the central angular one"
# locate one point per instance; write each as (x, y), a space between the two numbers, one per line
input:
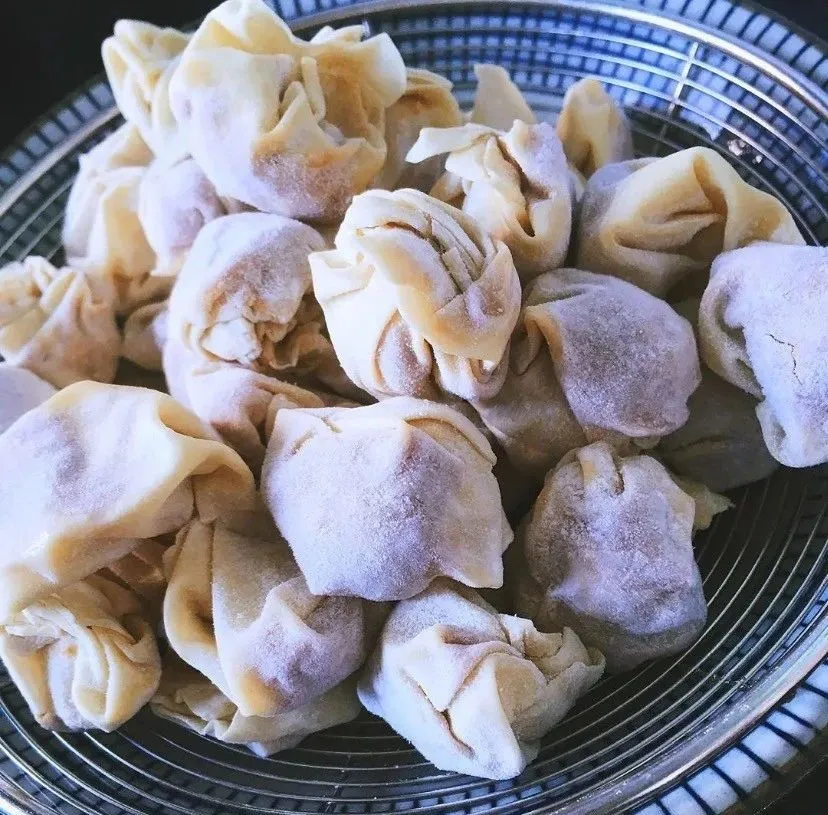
(239, 611)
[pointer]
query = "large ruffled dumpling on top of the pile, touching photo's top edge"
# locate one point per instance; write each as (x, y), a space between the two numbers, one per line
(286, 126)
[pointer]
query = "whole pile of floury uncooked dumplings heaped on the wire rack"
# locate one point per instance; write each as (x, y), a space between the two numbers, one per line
(354, 324)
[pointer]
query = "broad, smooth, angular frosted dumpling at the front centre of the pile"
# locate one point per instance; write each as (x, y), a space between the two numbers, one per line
(378, 501)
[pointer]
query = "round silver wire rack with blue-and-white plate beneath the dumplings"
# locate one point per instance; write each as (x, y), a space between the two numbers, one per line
(696, 72)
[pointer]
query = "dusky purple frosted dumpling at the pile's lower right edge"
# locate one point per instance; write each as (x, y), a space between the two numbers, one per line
(607, 549)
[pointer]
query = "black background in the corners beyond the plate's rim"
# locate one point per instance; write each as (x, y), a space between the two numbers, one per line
(48, 48)
